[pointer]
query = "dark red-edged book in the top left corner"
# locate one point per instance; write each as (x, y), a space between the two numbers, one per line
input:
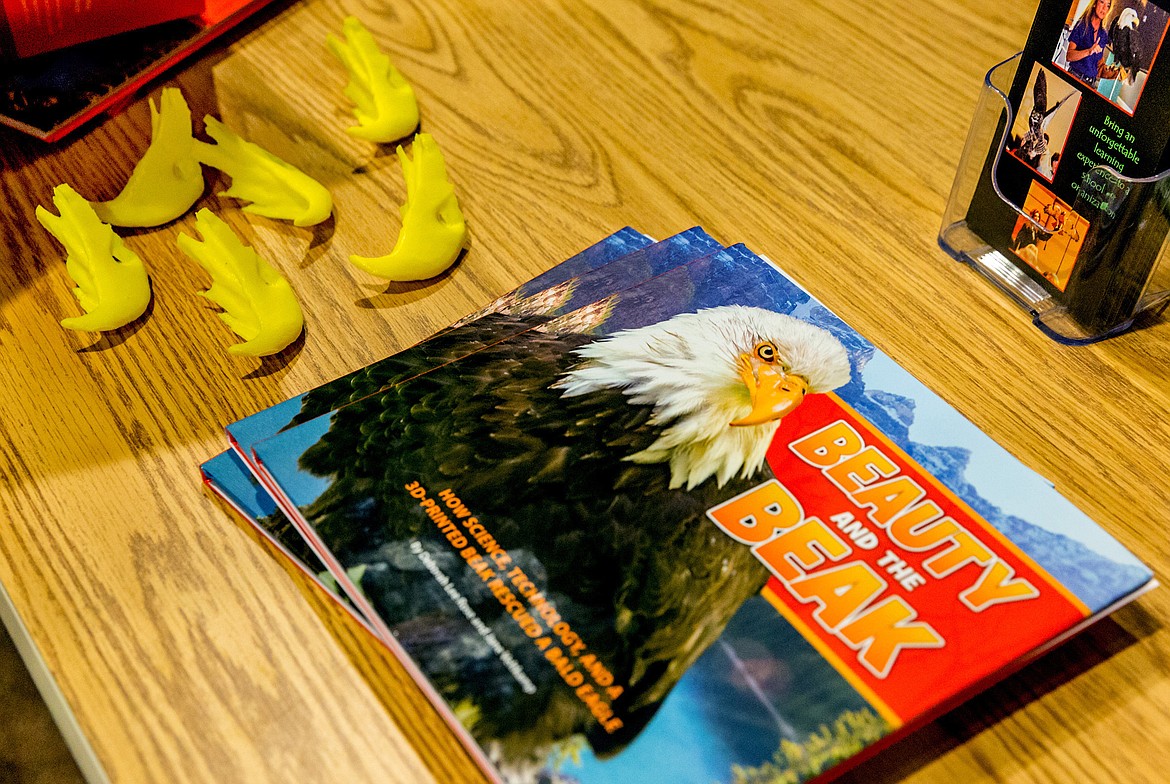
(51, 94)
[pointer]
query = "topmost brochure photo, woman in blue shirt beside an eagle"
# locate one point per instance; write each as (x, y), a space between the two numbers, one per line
(1111, 46)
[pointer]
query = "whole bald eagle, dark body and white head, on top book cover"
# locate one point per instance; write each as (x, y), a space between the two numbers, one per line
(591, 456)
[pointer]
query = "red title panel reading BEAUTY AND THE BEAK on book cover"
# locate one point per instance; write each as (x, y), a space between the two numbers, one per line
(910, 593)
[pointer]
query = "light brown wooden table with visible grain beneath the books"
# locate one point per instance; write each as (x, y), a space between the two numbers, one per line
(824, 135)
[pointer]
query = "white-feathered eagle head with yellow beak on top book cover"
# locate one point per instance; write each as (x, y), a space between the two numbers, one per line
(719, 382)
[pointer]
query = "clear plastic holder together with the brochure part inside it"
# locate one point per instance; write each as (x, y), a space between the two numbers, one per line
(1045, 204)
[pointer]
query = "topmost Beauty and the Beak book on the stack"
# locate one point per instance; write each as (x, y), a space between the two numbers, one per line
(706, 534)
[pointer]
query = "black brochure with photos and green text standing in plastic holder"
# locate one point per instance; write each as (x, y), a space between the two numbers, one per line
(1092, 90)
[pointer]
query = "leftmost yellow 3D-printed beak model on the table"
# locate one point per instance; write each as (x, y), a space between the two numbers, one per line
(113, 286)
